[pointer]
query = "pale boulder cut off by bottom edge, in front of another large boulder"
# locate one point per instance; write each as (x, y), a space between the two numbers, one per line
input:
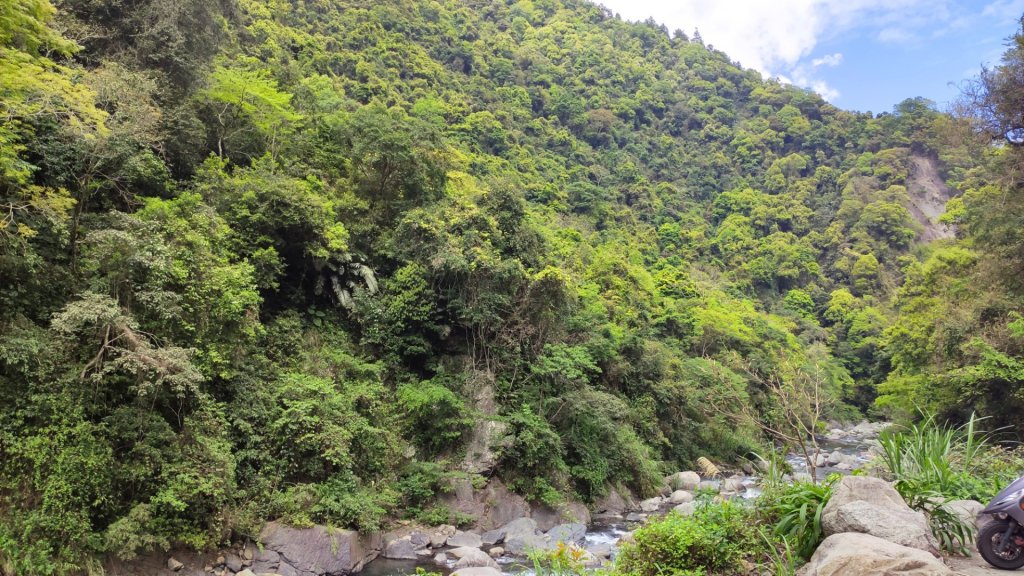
(864, 555)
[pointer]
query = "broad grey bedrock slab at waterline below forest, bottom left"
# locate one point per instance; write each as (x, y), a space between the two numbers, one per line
(316, 552)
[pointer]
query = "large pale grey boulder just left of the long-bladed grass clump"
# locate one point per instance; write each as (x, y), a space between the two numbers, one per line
(871, 506)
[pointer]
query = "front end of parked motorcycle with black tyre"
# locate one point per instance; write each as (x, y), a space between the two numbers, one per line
(1002, 541)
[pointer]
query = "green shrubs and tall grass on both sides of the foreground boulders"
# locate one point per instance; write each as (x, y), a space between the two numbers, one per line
(932, 467)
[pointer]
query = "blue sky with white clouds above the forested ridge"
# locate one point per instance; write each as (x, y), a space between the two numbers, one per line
(859, 55)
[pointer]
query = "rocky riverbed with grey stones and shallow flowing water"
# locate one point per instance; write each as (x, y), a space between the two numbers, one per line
(507, 527)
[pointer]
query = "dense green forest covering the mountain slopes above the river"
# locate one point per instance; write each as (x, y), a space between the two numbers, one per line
(293, 259)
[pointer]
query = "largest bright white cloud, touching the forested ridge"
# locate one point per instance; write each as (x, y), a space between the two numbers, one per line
(779, 37)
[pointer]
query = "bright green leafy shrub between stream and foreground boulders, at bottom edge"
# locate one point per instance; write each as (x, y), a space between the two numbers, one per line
(717, 539)
